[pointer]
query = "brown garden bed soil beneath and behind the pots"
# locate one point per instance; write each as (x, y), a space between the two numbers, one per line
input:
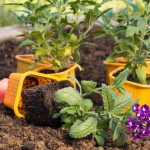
(17, 134)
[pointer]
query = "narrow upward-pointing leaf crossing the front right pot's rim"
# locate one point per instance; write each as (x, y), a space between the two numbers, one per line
(121, 78)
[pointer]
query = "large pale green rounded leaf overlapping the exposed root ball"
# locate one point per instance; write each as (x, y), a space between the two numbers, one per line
(68, 95)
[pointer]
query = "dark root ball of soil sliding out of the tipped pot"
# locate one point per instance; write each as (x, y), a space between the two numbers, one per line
(39, 103)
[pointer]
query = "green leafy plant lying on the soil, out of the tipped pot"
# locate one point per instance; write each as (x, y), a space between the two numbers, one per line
(82, 119)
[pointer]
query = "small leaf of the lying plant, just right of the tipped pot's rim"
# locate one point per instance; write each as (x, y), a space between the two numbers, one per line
(88, 86)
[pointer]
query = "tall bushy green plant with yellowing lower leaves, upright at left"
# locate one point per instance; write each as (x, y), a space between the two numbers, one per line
(54, 24)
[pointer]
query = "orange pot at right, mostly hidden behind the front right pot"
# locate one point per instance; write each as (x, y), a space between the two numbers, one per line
(120, 62)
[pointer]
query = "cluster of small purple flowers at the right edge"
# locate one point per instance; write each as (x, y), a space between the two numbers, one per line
(139, 125)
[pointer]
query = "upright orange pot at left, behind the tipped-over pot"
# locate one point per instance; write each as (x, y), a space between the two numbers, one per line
(24, 62)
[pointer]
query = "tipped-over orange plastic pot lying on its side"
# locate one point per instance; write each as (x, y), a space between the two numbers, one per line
(19, 81)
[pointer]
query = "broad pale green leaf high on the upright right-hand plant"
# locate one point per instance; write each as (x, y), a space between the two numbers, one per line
(131, 30)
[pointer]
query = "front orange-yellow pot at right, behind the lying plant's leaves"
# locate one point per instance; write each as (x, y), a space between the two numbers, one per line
(139, 91)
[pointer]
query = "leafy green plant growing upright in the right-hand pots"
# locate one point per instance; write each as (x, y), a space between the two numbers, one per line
(130, 30)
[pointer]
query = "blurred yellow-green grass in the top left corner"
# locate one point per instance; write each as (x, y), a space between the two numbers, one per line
(6, 16)
